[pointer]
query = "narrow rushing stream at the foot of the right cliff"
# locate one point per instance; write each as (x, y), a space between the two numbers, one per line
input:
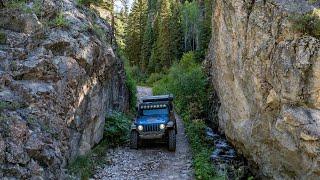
(225, 158)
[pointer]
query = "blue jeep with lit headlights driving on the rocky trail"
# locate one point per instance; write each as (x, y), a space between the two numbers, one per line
(155, 120)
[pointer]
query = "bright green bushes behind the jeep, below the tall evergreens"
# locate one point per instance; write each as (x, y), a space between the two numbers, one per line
(188, 83)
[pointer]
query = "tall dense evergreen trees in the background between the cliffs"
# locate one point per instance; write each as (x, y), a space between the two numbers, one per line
(159, 31)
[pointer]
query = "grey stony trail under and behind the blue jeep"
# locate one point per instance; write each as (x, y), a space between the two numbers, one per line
(152, 161)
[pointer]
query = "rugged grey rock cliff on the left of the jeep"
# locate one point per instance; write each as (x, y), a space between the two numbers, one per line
(58, 79)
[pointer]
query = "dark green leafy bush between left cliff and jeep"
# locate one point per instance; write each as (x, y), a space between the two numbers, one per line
(117, 125)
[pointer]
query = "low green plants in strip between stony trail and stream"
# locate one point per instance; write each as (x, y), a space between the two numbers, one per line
(201, 149)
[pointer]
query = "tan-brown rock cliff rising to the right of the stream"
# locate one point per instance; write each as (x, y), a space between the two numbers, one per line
(267, 79)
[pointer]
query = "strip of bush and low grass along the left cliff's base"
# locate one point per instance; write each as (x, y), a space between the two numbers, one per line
(117, 126)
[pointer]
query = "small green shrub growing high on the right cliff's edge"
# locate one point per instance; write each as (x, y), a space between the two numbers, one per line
(308, 24)
